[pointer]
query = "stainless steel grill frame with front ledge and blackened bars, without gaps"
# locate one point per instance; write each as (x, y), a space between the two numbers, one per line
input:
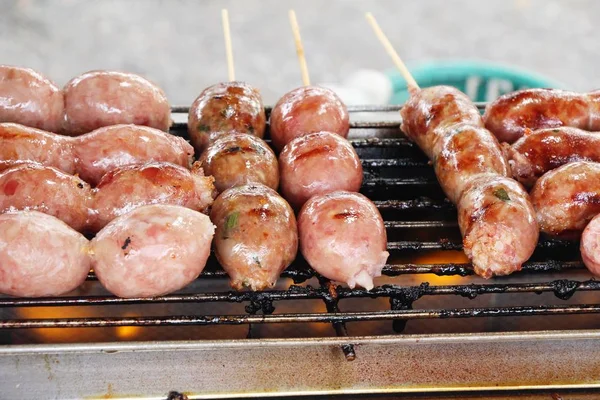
(404, 363)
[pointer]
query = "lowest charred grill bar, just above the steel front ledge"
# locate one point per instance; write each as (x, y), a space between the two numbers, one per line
(301, 318)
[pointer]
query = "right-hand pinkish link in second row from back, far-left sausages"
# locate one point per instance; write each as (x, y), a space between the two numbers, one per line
(115, 146)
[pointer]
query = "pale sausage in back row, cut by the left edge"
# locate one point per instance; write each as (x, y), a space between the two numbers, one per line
(30, 99)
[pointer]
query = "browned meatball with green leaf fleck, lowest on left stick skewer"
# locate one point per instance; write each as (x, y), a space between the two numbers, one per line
(256, 237)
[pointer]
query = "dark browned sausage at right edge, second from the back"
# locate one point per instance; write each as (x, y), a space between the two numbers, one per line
(543, 150)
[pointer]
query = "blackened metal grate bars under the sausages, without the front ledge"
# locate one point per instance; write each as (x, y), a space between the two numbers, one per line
(417, 218)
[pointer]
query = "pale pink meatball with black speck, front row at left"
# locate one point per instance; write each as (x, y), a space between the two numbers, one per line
(152, 251)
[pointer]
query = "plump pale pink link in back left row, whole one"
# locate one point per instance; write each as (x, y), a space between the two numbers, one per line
(103, 98)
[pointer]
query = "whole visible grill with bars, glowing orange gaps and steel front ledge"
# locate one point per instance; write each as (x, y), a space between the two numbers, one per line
(366, 345)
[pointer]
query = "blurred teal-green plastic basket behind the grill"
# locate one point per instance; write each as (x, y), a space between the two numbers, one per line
(481, 81)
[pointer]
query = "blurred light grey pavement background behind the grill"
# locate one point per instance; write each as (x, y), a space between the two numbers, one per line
(179, 44)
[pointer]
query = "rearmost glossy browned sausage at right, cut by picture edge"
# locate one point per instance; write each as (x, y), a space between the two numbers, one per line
(511, 115)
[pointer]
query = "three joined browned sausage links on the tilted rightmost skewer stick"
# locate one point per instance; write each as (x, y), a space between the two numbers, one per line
(472, 171)
